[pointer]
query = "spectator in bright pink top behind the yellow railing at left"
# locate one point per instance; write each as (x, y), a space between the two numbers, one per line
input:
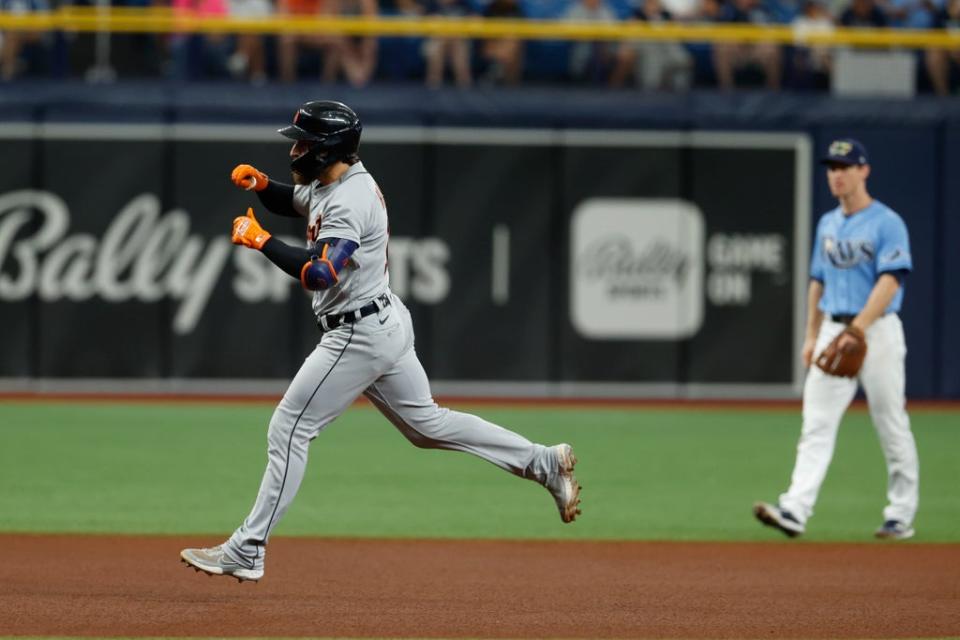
(198, 55)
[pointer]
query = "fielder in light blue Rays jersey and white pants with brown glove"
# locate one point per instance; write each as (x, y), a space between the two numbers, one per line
(860, 260)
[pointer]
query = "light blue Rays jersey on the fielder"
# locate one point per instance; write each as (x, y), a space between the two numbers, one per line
(851, 252)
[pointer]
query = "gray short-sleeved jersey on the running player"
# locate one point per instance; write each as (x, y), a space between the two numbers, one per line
(351, 208)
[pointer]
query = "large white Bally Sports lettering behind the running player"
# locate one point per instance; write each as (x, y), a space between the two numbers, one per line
(146, 255)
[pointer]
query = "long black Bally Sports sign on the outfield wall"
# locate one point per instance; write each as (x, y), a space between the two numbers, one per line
(533, 261)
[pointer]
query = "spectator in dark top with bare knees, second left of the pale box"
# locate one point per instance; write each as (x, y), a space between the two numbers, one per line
(728, 58)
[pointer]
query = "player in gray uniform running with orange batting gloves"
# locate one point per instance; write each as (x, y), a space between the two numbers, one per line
(367, 342)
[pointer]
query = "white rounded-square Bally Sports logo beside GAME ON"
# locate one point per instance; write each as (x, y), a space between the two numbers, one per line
(637, 269)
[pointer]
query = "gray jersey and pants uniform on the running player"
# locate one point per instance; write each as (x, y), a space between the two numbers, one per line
(373, 356)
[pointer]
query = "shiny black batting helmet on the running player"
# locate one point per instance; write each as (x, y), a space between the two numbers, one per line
(333, 131)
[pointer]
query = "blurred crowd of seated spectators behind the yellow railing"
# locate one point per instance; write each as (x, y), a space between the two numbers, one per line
(667, 66)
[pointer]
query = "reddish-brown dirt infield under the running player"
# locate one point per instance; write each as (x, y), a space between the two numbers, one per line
(134, 586)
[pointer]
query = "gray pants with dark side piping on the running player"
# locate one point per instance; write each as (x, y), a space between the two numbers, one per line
(374, 356)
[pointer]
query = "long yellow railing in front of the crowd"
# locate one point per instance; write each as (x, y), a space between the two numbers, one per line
(130, 20)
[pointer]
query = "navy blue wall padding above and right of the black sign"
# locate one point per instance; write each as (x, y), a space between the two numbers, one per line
(914, 146)
